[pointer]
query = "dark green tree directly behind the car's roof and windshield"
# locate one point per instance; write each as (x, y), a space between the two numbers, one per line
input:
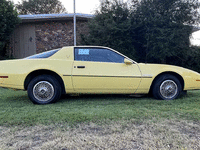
(111, 27)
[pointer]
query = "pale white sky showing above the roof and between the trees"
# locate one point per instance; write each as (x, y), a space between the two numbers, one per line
(89, 7)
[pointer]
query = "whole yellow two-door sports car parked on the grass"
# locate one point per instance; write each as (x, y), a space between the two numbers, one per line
(93, 70)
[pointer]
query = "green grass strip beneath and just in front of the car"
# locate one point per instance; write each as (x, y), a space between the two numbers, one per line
(17, 109)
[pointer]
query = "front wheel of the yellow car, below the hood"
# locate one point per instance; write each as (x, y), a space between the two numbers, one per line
(166, 87)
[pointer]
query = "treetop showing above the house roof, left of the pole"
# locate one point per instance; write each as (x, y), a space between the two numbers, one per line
(40, 7)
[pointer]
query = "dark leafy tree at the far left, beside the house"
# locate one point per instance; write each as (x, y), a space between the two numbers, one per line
(9, 19)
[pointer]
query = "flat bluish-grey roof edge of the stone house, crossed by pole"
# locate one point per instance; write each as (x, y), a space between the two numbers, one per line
(49, 17)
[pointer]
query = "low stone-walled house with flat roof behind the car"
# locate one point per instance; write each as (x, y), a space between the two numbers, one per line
(43, 32)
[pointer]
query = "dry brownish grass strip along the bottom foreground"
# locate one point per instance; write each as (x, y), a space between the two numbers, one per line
(165, 134)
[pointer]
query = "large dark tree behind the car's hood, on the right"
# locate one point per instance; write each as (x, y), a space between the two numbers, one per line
(162, 29)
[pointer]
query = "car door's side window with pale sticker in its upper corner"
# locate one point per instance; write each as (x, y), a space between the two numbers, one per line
(97, 55)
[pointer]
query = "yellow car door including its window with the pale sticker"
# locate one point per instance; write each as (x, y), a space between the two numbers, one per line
(101, 70)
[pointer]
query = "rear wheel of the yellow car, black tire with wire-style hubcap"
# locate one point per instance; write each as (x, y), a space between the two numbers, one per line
(44, 89)
